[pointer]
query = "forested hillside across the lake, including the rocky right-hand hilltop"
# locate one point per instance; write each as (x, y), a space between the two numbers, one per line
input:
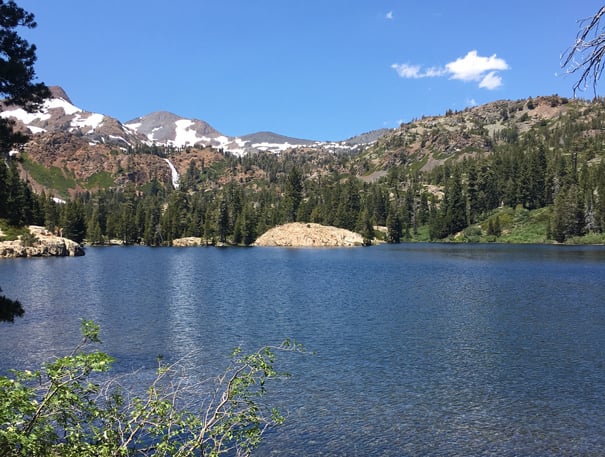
(474, 175)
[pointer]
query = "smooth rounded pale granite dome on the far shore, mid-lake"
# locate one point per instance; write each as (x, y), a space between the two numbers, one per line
(308, 235)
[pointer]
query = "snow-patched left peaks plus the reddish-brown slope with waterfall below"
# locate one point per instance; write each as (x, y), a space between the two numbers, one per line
(72, 150)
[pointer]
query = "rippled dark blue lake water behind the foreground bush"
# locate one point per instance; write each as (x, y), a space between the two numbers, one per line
(421, 349)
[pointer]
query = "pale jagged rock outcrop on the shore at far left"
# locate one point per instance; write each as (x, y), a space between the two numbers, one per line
(45, 245)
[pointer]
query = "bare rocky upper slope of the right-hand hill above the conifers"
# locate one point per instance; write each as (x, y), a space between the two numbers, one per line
(433, 140)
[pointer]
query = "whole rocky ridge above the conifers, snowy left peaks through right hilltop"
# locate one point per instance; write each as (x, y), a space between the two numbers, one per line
(72, 150)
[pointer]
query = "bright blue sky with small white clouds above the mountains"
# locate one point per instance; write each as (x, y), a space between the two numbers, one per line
(316, 69)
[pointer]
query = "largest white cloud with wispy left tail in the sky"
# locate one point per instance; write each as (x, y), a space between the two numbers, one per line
(470, 68)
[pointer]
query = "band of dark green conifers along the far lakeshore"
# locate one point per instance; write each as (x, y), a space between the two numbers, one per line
(559, 167)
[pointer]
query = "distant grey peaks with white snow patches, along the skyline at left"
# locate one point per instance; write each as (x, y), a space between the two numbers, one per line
(161, 128)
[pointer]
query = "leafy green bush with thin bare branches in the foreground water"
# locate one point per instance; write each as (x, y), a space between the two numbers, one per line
(62, 410)
